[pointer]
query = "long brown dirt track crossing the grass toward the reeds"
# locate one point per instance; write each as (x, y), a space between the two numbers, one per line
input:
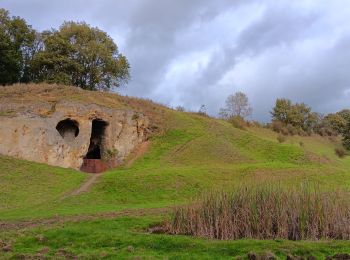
(16, 225)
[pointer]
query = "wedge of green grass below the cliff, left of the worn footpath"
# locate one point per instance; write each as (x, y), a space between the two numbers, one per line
(26, 186)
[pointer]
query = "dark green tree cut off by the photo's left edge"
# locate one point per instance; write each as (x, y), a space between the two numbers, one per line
(16, 41)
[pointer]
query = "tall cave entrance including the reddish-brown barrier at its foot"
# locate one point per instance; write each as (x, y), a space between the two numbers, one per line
(92, 161)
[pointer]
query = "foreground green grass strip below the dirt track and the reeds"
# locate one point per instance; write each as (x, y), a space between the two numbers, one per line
(111, 238)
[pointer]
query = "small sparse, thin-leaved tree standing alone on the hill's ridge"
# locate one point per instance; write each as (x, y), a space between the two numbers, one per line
(236, 105)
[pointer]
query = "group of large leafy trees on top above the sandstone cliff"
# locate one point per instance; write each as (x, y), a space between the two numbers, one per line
(75, 54)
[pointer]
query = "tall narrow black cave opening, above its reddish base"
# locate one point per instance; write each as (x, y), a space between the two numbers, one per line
(97, 140)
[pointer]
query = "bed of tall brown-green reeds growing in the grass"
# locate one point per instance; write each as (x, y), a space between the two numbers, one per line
(265, 212)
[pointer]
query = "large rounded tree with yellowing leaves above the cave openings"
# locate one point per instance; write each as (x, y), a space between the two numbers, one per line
(81, 55)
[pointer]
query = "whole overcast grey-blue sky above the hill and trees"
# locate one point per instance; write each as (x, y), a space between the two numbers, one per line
(194, 52)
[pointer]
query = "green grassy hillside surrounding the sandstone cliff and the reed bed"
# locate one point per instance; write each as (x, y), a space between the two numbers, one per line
(189, 154)
